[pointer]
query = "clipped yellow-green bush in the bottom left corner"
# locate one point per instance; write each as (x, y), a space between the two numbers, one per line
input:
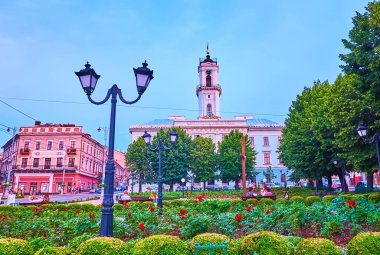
(13, 246)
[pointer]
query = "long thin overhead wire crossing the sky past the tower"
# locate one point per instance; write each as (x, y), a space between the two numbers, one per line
(141, 107)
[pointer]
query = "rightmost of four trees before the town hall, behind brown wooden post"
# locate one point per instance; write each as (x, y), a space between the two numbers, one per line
(230, 161)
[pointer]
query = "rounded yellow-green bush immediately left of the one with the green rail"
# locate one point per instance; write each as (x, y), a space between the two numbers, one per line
(161, 244)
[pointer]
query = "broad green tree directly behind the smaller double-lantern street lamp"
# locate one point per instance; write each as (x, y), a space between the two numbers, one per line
(175, 162)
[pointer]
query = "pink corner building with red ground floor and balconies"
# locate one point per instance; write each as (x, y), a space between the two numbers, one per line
(51, 158)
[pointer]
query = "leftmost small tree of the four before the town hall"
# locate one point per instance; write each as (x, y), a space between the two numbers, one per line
(136, 157)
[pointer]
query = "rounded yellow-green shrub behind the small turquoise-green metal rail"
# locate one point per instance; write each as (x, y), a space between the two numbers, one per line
(215, 239)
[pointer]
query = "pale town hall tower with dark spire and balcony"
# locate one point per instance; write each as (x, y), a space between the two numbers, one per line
(208, 91)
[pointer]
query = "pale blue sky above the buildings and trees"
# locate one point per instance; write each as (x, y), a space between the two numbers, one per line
(267, 52)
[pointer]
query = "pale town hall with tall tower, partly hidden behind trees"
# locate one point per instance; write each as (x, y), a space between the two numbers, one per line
(264, 134)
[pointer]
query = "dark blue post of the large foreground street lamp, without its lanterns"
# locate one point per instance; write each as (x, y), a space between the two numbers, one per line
(106, 226)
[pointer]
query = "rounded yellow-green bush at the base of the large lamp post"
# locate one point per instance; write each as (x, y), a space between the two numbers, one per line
(100, 246)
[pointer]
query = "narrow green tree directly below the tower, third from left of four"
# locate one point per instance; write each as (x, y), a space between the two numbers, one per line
(204, 160)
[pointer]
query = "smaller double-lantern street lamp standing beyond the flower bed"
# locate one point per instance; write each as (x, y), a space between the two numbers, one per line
(160, 146)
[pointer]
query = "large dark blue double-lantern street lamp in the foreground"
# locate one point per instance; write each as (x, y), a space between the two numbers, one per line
(88, 79)
